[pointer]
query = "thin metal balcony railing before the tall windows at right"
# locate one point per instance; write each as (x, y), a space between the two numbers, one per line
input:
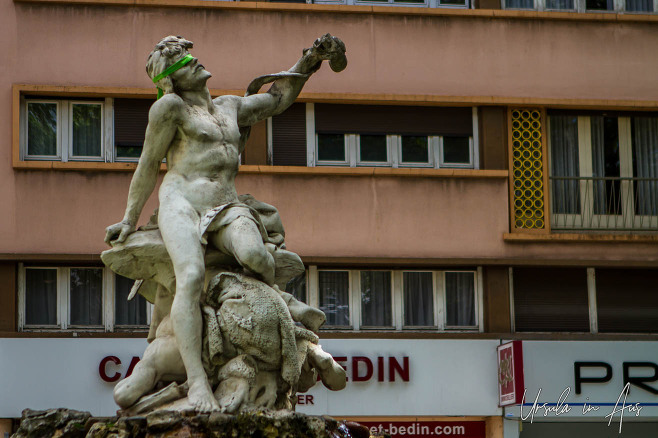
(604, 203)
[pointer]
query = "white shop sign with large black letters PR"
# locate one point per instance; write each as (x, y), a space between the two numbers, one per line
(611, 381)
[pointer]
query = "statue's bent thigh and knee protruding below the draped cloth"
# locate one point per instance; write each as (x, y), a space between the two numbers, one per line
(242, 239)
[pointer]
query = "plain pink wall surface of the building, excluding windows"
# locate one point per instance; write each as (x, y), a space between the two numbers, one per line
(57, 212)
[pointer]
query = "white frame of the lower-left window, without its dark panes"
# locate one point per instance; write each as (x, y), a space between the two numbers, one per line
(64, 302)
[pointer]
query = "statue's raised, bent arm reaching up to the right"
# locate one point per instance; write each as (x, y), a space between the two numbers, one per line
(287, 87)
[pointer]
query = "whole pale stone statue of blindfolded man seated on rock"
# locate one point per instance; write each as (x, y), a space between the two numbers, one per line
(223, 334)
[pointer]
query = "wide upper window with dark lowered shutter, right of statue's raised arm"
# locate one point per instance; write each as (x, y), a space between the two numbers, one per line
(374, 136)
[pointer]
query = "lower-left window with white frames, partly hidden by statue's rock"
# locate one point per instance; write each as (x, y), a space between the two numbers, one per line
(78, 298)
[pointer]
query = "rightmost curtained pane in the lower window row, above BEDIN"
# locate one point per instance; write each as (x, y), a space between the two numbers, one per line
(460, 299)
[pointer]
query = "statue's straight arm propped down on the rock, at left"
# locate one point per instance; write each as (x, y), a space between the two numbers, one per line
(160, 132)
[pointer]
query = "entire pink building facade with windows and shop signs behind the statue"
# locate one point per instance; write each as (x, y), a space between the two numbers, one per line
(481, 172)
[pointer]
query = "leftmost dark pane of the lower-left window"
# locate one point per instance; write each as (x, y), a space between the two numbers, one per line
(40, 296)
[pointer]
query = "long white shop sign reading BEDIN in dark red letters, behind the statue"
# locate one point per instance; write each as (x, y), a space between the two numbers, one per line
(386, 377)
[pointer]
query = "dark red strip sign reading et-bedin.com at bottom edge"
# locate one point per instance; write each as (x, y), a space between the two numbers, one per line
(427, 429)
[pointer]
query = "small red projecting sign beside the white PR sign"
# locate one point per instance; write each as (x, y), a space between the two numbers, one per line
(510, 373)
